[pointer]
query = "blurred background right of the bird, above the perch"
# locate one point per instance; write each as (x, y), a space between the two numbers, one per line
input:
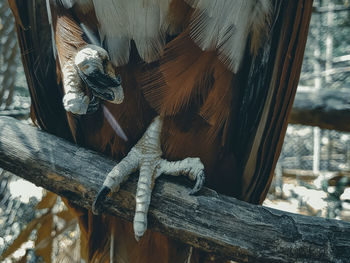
(312, 176)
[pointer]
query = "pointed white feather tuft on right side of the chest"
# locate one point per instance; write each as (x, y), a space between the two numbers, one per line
(224, 25)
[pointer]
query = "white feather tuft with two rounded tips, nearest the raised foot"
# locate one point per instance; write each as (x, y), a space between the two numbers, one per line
(143, 21)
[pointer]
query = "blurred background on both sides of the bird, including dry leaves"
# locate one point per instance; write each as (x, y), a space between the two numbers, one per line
(312, 175)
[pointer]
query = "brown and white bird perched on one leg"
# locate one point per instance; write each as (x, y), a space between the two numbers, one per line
(194, 88)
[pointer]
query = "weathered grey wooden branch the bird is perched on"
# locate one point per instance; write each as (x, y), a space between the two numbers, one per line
(215, 223)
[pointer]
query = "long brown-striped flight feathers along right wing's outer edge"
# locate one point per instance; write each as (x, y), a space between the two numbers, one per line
(270, 130)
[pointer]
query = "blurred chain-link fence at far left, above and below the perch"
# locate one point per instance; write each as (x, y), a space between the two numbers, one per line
(15, 213)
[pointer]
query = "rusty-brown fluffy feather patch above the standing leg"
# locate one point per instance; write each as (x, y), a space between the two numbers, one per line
(190, 81)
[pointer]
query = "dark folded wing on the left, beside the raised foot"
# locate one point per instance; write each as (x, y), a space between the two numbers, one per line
(40, 66)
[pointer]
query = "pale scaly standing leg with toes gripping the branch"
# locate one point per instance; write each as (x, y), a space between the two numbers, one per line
(146, 156)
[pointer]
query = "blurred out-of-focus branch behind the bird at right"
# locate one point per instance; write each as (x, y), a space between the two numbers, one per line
(327, 109)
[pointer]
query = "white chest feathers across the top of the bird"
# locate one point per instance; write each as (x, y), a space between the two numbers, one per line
(214, 25)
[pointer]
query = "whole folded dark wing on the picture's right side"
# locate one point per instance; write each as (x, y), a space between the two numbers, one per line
(267, 100)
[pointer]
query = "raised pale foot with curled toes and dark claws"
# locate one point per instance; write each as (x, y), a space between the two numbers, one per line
(92, 67)
